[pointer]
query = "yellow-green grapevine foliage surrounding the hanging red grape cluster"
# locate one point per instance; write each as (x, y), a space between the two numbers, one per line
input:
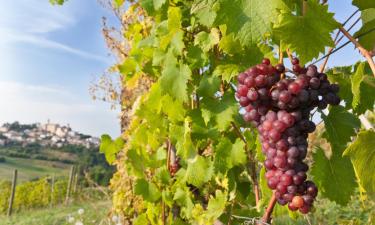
(185, 155)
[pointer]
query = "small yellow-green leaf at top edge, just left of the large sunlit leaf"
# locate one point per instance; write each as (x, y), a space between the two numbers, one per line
(205, 12)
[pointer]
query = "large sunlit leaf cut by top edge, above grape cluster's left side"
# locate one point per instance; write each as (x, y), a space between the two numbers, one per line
(249, 20)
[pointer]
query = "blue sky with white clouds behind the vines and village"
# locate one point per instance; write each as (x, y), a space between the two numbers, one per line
(49, 55)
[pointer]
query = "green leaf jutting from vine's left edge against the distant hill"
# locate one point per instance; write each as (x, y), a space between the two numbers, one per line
(110, 148)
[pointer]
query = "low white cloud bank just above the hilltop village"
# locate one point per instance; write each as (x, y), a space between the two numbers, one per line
(32, 103)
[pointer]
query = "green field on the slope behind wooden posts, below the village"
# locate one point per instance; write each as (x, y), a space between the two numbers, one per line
(29, 169)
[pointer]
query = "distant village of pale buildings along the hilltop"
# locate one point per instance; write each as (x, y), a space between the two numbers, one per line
(49, 134)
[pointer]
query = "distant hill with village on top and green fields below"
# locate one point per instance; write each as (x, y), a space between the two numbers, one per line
(38, 150)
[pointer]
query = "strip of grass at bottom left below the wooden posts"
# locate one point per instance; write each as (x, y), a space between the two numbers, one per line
(94, 213)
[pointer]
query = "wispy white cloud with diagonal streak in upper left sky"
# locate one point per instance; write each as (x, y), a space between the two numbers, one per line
(32, 21)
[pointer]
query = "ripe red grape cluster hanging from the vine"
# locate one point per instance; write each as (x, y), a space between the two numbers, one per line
(281, 109)
